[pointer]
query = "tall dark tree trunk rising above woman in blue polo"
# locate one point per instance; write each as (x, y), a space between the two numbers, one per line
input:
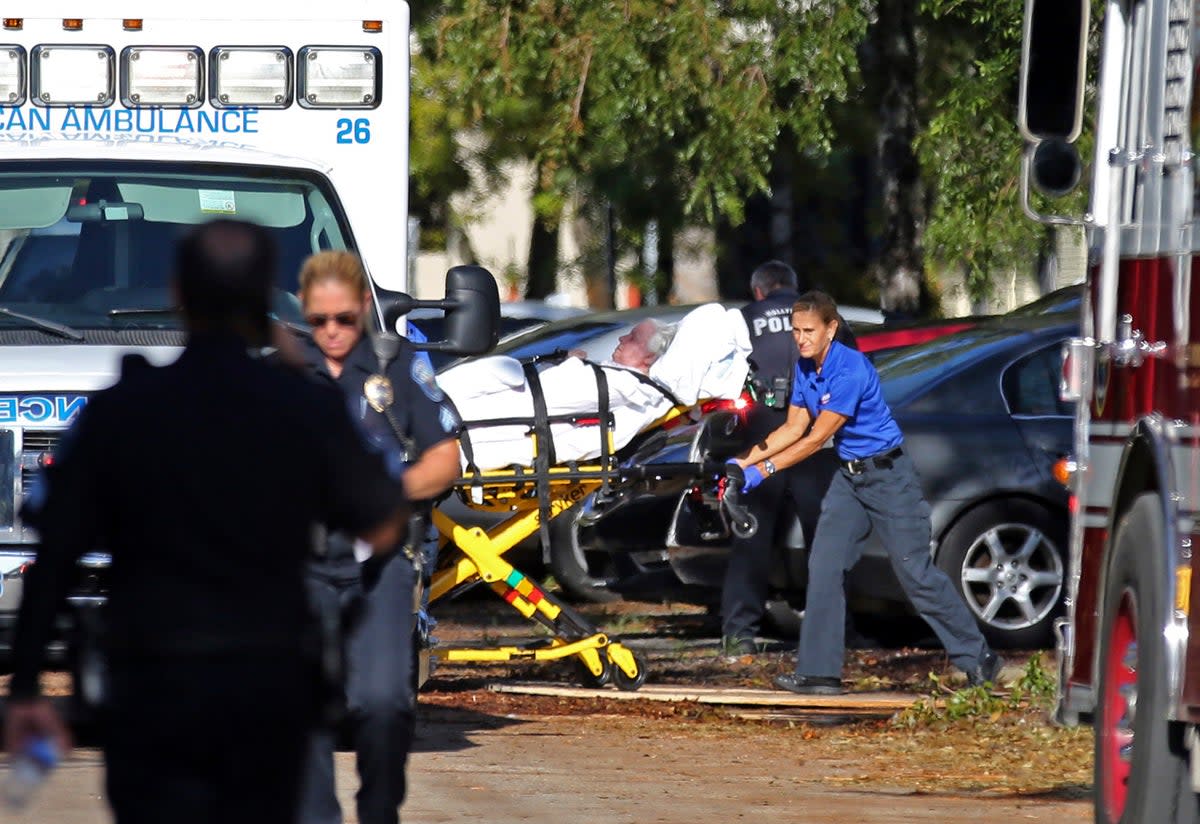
(899, 268)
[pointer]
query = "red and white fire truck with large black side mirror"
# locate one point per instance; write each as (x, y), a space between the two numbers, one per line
(1130, 645)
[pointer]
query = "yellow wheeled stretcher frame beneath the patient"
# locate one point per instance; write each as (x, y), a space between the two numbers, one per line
(530, 497)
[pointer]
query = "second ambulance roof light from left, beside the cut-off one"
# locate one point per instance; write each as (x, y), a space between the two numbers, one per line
(73, 76)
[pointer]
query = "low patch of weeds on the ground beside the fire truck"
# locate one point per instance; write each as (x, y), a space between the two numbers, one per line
(1034, 691)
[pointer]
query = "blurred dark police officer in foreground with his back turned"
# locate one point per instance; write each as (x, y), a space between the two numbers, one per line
(205, 480)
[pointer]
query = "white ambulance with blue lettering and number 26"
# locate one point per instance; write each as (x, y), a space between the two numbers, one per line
(123, 129)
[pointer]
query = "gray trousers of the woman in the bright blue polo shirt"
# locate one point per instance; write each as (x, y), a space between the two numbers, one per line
(890, 502)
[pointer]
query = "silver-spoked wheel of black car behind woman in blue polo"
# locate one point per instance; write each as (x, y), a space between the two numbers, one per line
(1007, 562)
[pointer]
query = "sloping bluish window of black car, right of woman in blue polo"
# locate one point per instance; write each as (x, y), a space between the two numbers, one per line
(908, 370)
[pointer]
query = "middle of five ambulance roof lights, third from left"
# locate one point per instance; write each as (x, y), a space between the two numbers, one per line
(170, 76)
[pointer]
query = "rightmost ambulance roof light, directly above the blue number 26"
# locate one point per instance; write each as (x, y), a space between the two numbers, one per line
(339, 77)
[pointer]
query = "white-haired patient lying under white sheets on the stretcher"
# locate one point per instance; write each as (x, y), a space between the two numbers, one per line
(653, 369)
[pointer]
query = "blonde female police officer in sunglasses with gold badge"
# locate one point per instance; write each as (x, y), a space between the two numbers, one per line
(377, 597)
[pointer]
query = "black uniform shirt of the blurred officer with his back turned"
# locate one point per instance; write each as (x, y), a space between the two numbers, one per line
(205, 480)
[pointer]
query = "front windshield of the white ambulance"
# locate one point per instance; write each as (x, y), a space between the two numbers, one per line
(91, 245)
